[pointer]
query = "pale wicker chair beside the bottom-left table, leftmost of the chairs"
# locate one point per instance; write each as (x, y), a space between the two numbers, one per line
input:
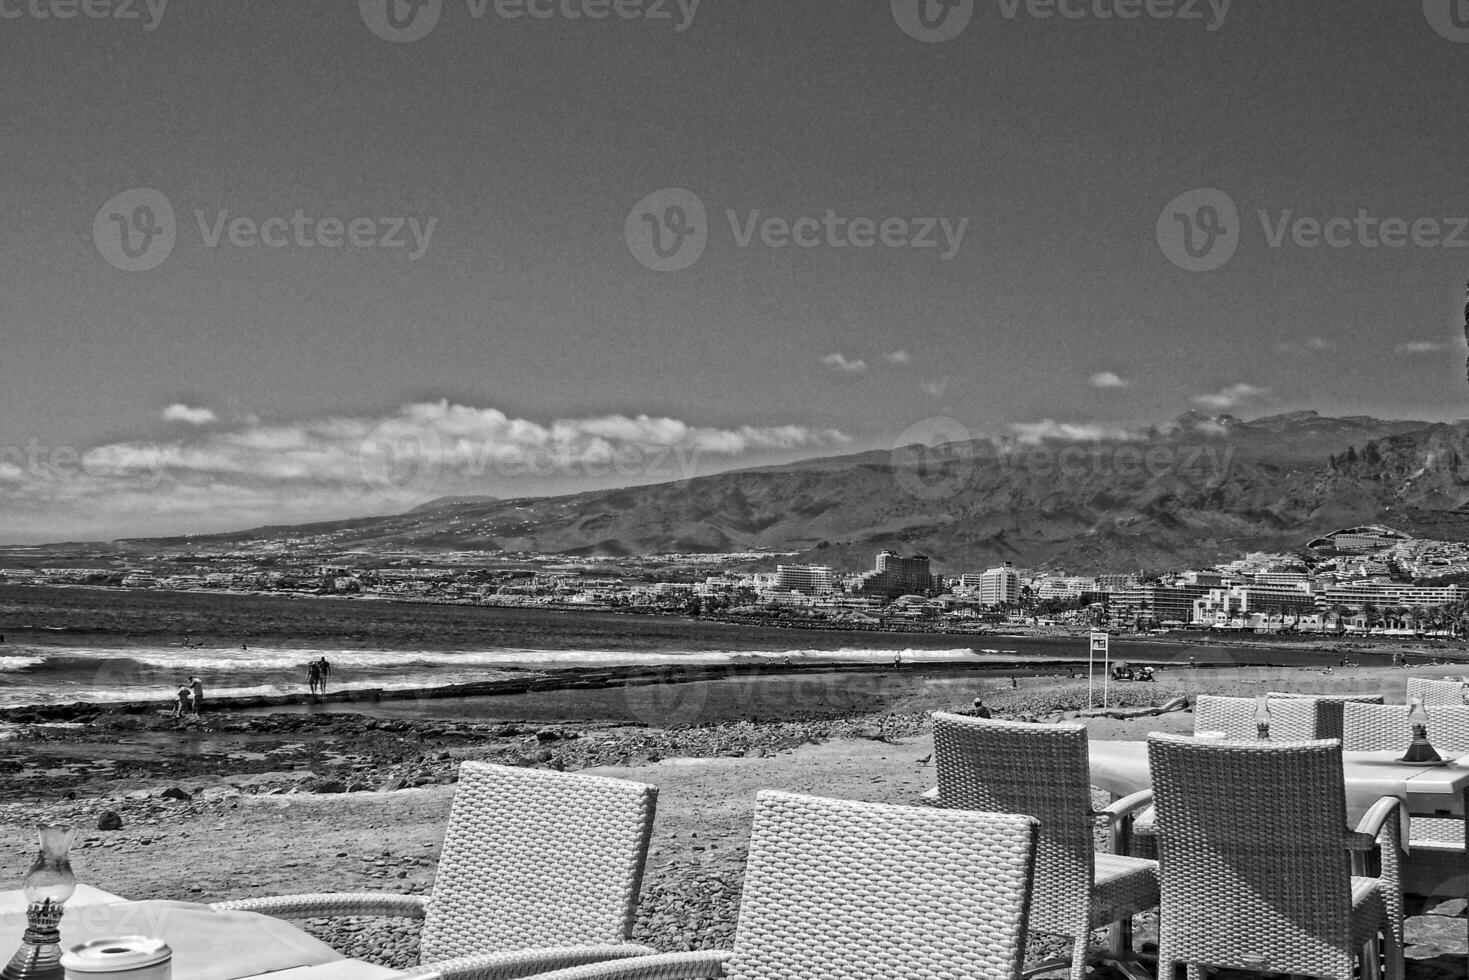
(540, 871)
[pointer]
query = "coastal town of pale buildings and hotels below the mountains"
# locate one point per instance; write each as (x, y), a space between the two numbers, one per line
(1367, 580)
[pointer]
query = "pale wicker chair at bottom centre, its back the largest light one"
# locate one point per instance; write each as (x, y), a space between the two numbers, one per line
(862, 891)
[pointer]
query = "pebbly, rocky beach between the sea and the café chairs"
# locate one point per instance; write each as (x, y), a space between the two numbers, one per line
(248, 804)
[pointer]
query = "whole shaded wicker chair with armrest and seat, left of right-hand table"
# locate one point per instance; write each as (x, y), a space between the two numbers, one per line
(1042, 771)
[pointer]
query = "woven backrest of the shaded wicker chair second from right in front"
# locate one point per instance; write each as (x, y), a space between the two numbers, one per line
(1039, 771)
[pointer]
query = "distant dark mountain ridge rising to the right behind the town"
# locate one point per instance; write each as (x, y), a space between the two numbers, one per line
(1199, 490)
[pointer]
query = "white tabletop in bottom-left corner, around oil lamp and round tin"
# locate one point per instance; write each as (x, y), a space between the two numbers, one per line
(208, 944)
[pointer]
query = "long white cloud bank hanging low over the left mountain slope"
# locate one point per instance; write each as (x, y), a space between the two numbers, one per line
(246, 472)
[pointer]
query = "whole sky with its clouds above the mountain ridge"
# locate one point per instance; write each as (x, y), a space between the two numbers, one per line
(283, 262)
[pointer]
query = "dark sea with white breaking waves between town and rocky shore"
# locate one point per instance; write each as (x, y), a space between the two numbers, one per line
(108, 646)
